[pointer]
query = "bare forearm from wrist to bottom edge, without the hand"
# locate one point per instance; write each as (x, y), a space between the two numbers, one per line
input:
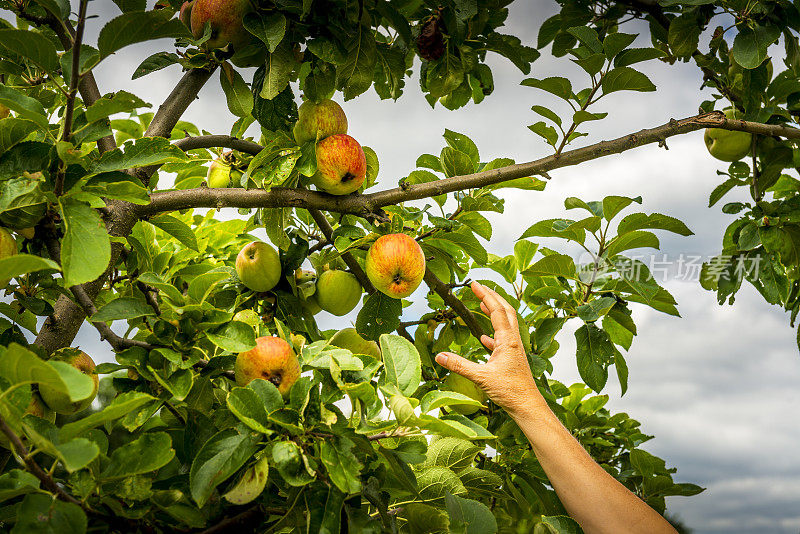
(595, 499)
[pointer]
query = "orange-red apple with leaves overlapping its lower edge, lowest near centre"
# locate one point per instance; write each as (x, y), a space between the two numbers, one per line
(273, 360)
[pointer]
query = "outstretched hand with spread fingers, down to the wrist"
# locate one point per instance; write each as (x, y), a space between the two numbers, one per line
(506, 377)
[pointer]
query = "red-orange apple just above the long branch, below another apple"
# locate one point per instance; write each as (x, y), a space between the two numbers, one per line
(341, 165)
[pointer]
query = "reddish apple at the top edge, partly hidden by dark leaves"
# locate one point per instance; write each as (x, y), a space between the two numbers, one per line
(226, 20)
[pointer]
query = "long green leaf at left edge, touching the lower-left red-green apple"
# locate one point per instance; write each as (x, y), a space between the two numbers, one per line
(18, 364)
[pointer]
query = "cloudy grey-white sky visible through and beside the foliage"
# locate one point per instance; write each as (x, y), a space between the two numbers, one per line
(718, 387)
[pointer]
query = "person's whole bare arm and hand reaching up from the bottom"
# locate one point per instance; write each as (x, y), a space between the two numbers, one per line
(595, 499)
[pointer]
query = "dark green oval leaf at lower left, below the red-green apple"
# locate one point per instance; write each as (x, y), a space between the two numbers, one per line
(144, 455)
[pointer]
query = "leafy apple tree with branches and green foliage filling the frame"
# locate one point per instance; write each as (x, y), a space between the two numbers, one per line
(104, 203)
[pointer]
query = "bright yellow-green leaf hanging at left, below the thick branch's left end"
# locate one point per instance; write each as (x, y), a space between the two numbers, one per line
(86, 248)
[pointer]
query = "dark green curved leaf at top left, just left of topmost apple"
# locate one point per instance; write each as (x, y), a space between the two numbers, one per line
(137, 27)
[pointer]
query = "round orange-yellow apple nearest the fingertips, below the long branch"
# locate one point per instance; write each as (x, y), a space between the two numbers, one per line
(395, 265)
